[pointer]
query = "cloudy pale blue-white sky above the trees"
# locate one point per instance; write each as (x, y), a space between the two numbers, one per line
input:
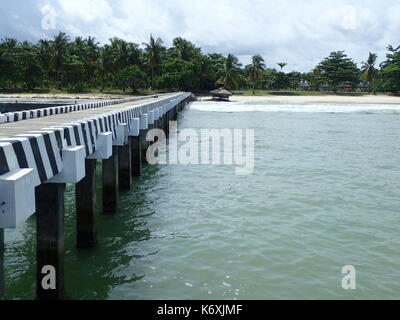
(299, 32)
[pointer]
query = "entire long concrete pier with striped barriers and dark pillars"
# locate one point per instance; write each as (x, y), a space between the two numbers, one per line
(38, 156)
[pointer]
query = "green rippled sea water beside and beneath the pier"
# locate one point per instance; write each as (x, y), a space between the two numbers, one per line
(325, 193)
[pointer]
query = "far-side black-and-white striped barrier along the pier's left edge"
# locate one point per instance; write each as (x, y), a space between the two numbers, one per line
(44, 112)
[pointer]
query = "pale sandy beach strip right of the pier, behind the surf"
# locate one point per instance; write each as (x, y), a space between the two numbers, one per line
(367, 99)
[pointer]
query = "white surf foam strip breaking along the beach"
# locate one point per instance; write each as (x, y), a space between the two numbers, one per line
(209, 106)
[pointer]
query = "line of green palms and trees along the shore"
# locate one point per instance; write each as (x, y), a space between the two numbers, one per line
(80, 64)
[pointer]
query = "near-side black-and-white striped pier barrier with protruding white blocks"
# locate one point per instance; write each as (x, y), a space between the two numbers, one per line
(57, 154)
